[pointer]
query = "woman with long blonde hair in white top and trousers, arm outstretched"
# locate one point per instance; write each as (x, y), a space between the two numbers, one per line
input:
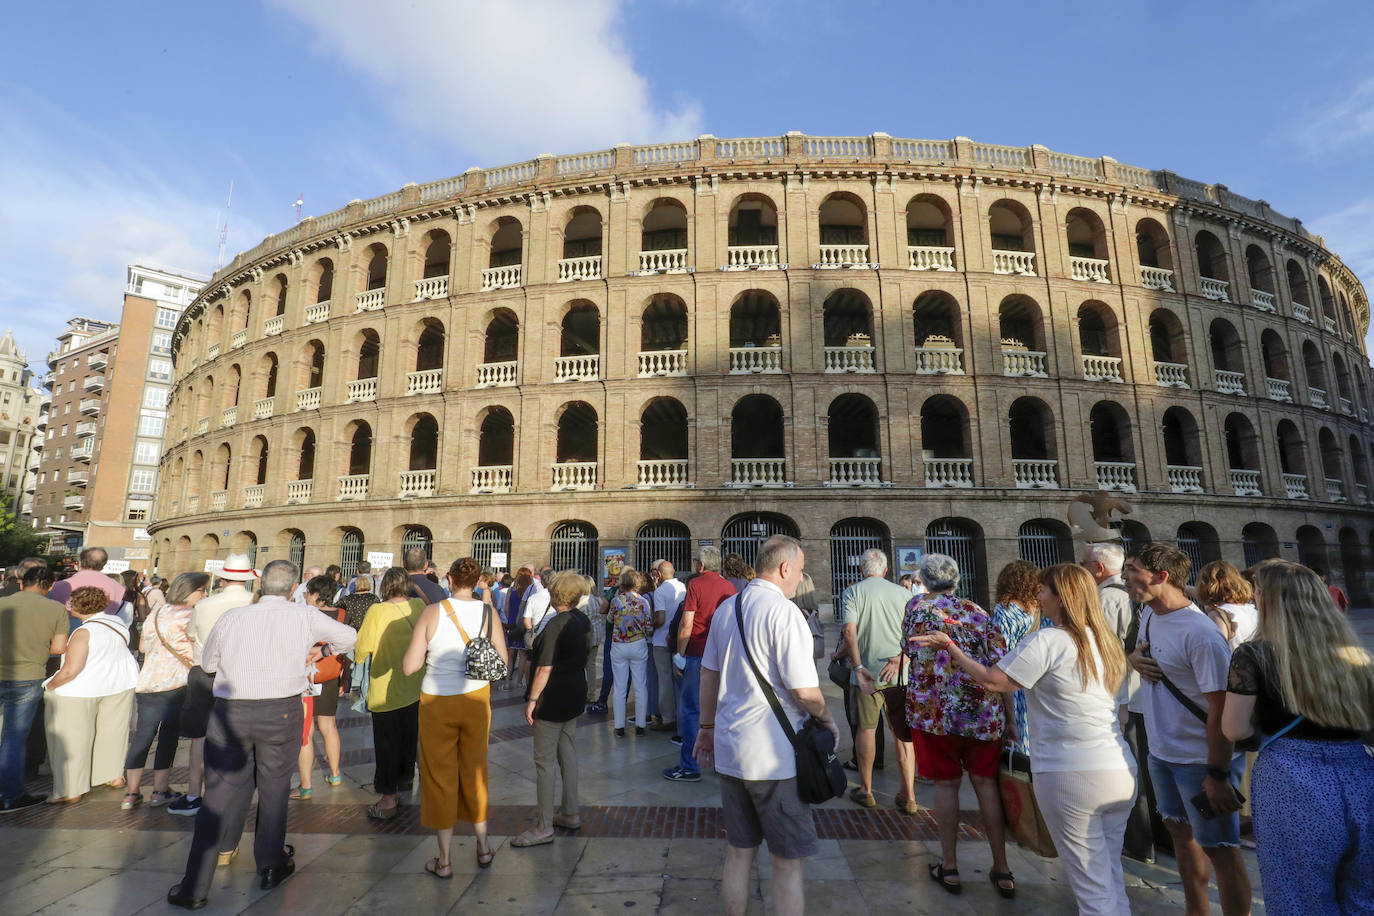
(1085, 775)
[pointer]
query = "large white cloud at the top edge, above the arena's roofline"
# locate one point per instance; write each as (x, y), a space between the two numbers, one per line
(505, 80)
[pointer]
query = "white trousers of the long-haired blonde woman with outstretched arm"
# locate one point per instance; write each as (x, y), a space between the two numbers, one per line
(1086, 812)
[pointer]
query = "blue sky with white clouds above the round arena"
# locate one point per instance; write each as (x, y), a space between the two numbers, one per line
(124, 124)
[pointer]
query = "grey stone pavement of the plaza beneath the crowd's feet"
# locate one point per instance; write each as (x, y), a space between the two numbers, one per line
(648, 845)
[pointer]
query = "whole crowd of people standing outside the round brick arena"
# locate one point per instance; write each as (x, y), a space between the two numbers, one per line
(1144, 708)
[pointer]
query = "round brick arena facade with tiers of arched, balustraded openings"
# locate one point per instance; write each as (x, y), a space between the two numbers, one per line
(855, 340)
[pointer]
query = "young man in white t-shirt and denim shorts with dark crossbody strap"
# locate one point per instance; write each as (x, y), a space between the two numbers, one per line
(1191, 757)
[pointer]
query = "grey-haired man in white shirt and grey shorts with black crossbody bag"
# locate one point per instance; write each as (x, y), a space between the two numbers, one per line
(754, 759)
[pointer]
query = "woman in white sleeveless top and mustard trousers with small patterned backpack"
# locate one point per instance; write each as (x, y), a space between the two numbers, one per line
(461, 646)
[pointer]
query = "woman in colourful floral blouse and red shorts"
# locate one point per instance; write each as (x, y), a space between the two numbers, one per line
(956, 724)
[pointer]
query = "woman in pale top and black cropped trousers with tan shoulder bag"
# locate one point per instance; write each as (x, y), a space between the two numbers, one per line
(161, 691)
